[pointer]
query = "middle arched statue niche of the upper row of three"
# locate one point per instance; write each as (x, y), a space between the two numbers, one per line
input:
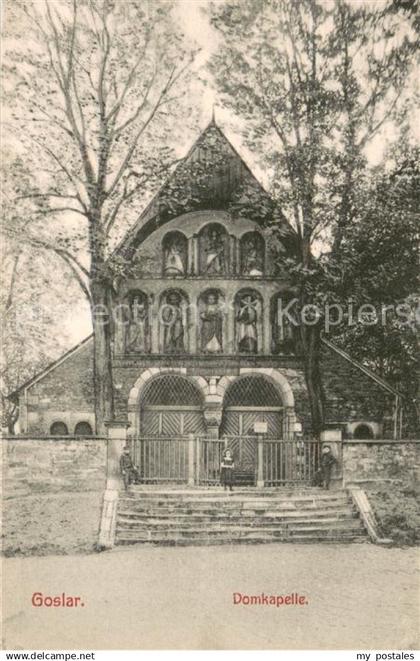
(213, 244)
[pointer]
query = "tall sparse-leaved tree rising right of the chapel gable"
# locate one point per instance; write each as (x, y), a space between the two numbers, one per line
(314, 82)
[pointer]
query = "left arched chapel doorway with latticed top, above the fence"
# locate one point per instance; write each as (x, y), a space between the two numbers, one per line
(171, 406)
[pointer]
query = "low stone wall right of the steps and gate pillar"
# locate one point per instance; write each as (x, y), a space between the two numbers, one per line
(380, 461)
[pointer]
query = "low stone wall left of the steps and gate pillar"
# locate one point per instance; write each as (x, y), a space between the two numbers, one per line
(53, 465)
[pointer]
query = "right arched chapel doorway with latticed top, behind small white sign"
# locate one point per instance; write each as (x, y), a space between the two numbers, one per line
(252, 405)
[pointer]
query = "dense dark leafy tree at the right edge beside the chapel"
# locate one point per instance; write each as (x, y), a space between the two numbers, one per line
(382, 274)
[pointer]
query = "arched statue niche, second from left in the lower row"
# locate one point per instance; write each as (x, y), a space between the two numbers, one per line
(173, 322)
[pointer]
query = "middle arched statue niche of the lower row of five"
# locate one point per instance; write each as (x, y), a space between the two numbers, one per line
(211, 326)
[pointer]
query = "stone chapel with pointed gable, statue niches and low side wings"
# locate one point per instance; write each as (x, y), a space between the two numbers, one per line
(202, 349)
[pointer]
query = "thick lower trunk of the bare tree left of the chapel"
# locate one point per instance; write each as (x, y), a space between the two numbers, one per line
(102, 355)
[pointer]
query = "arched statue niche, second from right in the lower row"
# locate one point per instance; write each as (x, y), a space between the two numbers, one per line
(248, 321)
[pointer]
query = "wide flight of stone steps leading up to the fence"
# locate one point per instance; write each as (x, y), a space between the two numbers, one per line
(247, 516)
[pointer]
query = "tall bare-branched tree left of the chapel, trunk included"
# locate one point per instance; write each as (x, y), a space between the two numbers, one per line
(95, 91)
